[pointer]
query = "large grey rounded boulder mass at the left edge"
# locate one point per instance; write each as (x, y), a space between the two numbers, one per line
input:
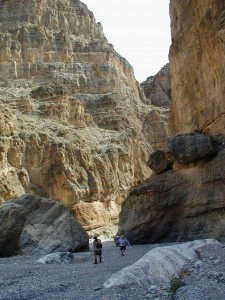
(35, 225)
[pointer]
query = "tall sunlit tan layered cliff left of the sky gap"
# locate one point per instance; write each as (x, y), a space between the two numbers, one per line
(74, 123)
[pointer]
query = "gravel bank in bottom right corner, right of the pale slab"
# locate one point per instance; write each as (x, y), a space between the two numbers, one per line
(204, 279)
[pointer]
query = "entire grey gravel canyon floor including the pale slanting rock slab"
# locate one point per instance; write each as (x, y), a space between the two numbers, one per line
(22, 278)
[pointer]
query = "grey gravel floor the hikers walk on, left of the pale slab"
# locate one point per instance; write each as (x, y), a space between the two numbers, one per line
(21, 278)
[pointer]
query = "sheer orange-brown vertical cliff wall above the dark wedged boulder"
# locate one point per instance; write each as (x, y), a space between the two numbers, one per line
(197, 63)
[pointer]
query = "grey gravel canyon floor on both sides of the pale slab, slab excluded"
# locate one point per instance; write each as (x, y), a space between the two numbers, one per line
(22, 278)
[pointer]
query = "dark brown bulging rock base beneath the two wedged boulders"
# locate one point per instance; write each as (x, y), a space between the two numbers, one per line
(178, 205)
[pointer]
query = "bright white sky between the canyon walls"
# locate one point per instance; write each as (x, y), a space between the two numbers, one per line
(139, 31)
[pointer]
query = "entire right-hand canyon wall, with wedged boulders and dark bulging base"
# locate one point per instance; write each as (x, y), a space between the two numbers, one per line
(184, 199)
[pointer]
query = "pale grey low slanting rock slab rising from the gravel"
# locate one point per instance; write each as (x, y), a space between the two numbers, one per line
(158, 266)
